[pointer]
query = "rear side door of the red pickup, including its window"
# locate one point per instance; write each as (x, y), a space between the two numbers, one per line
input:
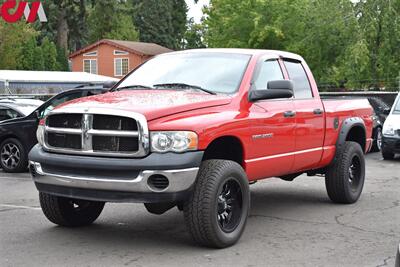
(310, 119)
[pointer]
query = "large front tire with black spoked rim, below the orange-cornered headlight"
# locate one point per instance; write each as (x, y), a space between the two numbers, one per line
(217, 210)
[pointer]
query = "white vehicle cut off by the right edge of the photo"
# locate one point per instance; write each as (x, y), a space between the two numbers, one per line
(391, 132)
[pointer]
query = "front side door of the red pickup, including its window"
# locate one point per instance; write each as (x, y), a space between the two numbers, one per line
(273, 127)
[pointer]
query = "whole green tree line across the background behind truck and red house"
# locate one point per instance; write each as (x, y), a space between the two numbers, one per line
(347, 43)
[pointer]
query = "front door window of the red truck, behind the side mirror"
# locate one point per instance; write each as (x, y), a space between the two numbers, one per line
(269, 71)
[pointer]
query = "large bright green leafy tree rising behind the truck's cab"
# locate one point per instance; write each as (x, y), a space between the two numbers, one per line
(321, 31)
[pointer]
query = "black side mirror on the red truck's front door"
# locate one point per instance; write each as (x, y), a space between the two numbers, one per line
(276, 89)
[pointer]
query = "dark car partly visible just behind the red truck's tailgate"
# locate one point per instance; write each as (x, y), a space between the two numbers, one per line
(380, 115)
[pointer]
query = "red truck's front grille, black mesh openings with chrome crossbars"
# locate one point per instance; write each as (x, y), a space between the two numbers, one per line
(94, 134)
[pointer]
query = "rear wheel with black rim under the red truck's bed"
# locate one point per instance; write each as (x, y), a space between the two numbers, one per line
(344, 179)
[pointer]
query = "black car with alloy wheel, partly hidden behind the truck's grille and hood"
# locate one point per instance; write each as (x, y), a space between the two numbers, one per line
(18, 136)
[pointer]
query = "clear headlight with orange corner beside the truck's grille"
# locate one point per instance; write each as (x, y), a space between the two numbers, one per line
(173, 141)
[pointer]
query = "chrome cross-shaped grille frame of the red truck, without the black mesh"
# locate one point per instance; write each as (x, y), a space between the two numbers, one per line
(87, 132)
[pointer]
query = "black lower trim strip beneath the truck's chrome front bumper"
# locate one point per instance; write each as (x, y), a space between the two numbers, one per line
(112, 196)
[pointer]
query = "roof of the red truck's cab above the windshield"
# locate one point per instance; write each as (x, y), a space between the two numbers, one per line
(253, 52)
